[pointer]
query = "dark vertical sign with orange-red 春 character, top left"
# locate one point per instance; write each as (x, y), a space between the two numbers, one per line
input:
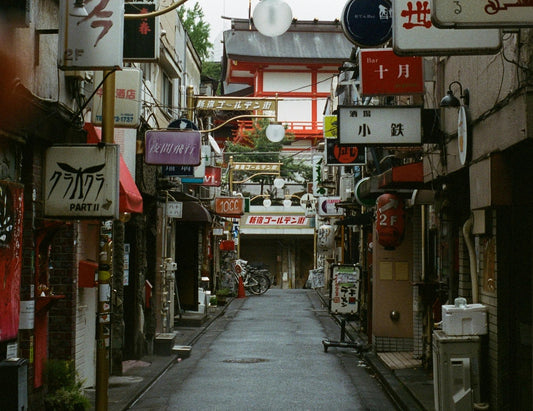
(141, 39)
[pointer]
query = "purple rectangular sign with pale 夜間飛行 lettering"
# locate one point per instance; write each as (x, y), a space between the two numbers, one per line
(172, 147)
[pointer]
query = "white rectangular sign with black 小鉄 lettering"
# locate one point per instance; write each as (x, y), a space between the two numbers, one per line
(397, 125)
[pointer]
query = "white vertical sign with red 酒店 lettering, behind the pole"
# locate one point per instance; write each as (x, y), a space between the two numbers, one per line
(127, 98)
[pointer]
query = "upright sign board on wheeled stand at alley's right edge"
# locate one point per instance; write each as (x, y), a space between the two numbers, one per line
(345, 280)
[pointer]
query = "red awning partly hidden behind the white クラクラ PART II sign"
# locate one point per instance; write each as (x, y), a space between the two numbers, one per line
(130, 200)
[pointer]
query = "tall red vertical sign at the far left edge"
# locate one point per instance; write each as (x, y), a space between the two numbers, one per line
(11, 209)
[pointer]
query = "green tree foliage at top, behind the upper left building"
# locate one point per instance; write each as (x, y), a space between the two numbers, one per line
(197, 29)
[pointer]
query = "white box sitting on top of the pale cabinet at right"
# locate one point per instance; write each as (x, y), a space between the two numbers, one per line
(468, 319)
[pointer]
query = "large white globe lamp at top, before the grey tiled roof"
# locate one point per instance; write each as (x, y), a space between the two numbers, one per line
(272, 18)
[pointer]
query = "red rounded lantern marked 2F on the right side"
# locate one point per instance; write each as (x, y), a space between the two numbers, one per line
(390, 220)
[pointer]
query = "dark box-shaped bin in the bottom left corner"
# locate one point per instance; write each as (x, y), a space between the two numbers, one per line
(14, 383)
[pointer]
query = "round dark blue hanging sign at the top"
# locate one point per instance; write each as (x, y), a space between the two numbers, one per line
(367, 23)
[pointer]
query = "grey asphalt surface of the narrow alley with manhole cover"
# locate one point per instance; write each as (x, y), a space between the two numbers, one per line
(266, 353)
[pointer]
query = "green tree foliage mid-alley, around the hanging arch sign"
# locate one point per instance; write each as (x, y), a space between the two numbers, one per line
(259, 149)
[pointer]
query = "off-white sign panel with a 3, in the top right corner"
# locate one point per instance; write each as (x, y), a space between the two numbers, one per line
(482, 13)
